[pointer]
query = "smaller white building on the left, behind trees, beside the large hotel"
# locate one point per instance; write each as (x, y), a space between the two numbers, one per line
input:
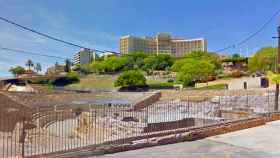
(85, 56)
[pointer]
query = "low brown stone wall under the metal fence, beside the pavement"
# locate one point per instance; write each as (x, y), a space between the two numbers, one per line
(169, 137)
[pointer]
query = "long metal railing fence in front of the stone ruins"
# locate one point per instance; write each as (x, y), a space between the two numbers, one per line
(53, 129)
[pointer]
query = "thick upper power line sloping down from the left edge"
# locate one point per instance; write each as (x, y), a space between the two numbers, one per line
(51, 37)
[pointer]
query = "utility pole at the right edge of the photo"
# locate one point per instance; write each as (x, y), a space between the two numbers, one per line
(277, 69)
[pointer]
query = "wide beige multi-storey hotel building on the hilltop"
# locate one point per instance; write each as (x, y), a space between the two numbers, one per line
(162, 44)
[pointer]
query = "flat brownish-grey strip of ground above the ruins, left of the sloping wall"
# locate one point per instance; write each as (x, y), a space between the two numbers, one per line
(39, 100)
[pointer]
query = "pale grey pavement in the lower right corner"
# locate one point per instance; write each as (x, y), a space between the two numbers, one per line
(259, 142)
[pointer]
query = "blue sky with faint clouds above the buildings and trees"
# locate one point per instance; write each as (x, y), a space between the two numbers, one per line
(100, 23)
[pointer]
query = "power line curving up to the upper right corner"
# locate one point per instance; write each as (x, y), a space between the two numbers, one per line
(251, 35)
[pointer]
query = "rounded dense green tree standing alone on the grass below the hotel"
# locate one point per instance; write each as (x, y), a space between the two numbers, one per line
(131, 78)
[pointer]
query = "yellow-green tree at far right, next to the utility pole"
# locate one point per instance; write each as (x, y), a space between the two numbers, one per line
(263, 60)
